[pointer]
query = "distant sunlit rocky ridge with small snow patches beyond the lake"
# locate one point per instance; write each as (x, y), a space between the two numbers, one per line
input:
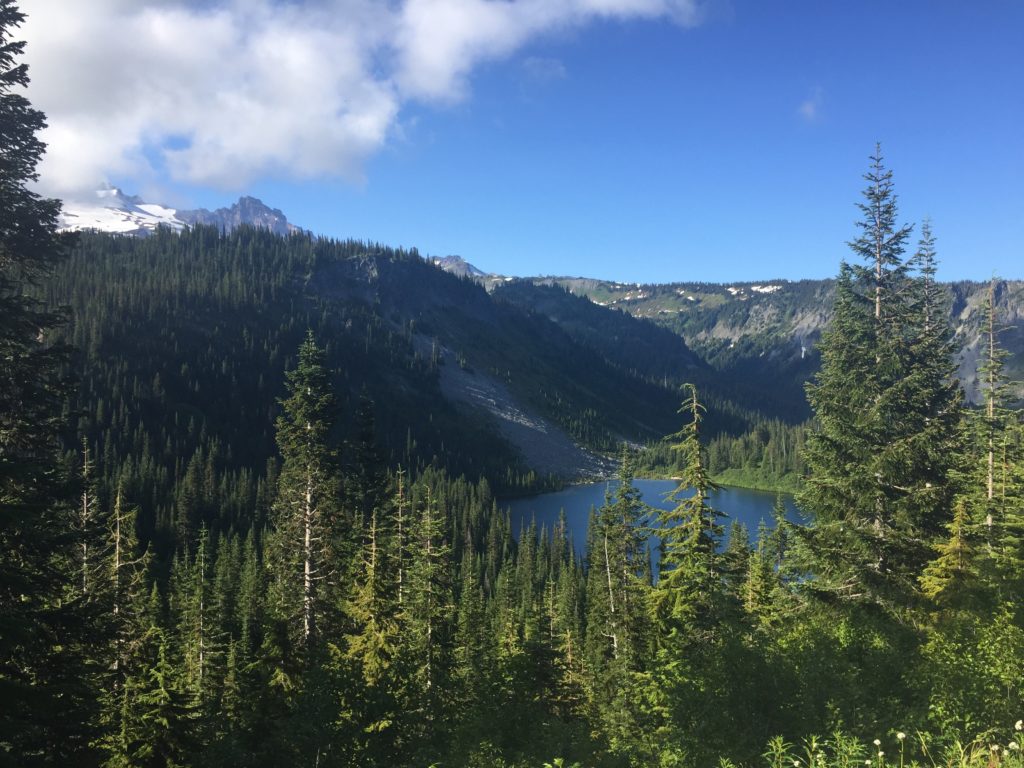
(761, 336)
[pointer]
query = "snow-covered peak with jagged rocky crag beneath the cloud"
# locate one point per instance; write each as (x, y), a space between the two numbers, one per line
(113, 211)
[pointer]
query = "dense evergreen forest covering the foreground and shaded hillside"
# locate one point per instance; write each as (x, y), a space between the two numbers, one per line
(236, 529)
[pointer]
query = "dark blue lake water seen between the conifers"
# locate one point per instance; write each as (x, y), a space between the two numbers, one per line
(749, 507)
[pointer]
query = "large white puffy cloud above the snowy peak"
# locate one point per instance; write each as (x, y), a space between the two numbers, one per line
(222, 93)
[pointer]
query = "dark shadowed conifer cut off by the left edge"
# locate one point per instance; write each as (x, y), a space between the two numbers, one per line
(41, 668)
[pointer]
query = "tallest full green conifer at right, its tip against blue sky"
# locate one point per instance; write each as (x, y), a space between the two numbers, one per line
(881, 463)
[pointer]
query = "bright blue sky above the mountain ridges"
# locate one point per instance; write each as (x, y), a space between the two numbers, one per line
(726, 146)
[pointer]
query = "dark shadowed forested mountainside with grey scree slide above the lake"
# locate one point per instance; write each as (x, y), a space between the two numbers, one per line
(200, 326)
